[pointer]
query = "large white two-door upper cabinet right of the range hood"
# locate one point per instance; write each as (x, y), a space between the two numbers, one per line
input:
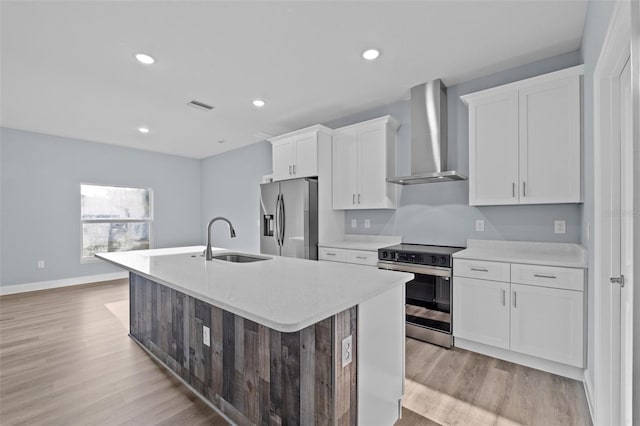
(525, 141)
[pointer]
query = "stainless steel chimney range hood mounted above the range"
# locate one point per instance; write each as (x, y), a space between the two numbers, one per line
(428, 136)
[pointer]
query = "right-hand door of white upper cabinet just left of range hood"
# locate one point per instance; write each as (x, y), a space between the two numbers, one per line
(372, 167)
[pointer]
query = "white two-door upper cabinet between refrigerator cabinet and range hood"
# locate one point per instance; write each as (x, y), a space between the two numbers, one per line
(364, 156)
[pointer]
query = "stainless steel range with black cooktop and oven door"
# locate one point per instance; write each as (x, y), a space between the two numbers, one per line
(428, 295)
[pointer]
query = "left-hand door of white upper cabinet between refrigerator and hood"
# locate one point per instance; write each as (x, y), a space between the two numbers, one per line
(345, 172)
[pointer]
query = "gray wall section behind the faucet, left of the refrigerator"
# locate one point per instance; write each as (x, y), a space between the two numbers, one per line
(230, 187)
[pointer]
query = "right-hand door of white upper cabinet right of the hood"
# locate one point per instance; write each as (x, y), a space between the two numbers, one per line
(550, 147)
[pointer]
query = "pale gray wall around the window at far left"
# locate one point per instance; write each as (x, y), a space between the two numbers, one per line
(40, 200)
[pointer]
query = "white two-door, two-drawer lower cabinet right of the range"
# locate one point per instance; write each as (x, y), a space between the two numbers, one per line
(540, 316)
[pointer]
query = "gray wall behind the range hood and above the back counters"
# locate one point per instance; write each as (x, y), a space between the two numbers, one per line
(439, 213)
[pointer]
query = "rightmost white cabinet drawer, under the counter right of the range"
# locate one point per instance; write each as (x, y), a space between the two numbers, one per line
(548, 276)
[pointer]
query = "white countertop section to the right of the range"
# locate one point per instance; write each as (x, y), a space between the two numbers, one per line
(535, 253)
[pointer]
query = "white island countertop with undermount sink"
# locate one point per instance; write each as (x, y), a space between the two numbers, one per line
(282, 293)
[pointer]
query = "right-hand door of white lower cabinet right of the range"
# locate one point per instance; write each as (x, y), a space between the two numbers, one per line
(548, 323)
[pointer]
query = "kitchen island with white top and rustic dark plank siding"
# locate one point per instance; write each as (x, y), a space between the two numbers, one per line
(273, 341)
